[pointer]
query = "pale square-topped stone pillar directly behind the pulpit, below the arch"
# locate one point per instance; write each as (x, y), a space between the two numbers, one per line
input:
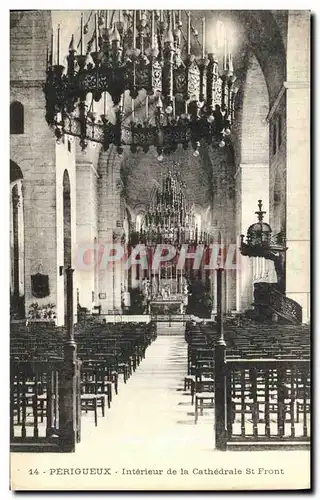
(252, 184)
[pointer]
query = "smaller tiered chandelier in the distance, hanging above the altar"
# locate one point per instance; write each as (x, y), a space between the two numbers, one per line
(170, 219)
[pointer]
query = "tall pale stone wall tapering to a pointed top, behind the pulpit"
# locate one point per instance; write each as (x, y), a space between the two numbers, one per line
(251, 142)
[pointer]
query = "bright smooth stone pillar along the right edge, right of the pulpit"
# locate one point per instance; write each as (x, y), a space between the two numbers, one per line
(298, 160)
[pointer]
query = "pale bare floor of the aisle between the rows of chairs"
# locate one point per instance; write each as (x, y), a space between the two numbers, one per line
(151, 413)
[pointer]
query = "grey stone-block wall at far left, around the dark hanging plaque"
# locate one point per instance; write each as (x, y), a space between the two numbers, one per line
(34, 151)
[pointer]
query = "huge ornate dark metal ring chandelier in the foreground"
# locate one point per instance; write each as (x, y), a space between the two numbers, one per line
(155, 53)
